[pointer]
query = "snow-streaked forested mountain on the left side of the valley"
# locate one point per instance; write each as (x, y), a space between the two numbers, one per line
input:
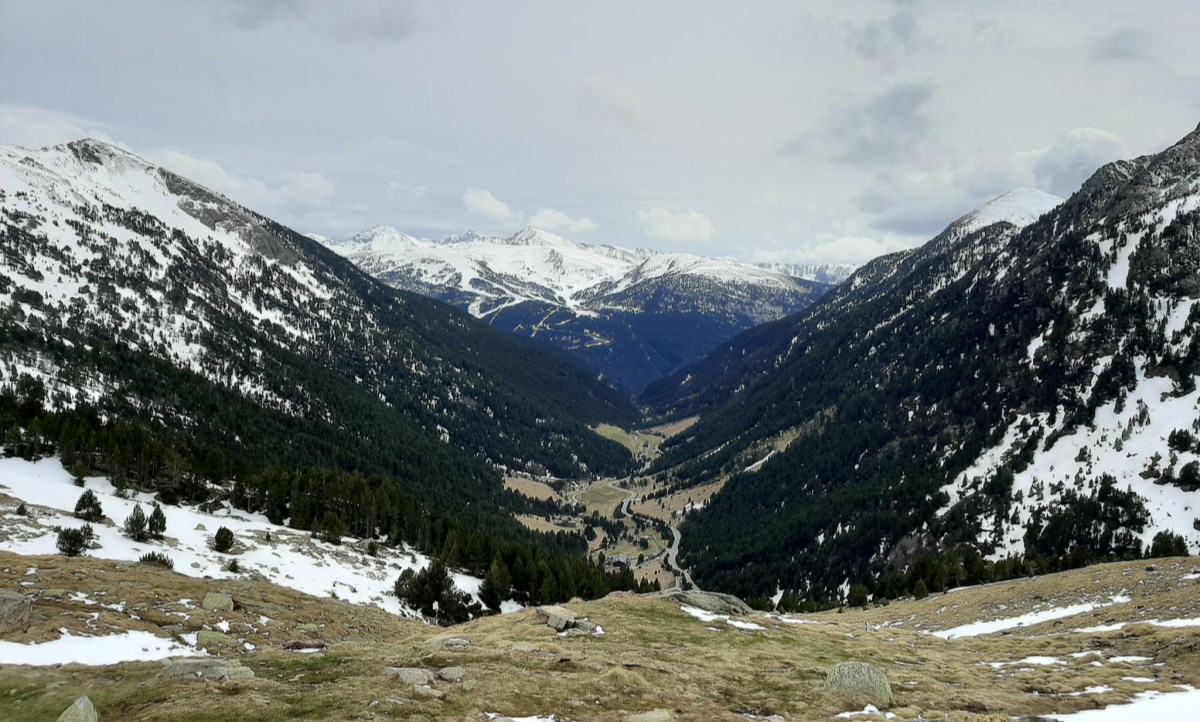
(135, 297)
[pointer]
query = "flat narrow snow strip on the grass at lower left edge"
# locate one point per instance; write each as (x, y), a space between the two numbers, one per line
(129, 647)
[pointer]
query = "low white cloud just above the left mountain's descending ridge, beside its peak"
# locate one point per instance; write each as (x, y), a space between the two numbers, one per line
(292, 190)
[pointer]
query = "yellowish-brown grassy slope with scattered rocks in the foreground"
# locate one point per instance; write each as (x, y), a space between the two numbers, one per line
(653, 655)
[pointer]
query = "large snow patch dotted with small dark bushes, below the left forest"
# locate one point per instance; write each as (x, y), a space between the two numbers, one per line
(291, 558)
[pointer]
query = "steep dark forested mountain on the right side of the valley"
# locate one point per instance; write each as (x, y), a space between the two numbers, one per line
(1021, 388)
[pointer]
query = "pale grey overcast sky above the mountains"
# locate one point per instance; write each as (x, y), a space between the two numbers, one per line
(764, 131)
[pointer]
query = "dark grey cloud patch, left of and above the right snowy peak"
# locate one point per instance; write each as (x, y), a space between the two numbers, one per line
(884, 129)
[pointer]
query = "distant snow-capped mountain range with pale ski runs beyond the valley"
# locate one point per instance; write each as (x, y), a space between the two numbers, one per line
(634, 316)
